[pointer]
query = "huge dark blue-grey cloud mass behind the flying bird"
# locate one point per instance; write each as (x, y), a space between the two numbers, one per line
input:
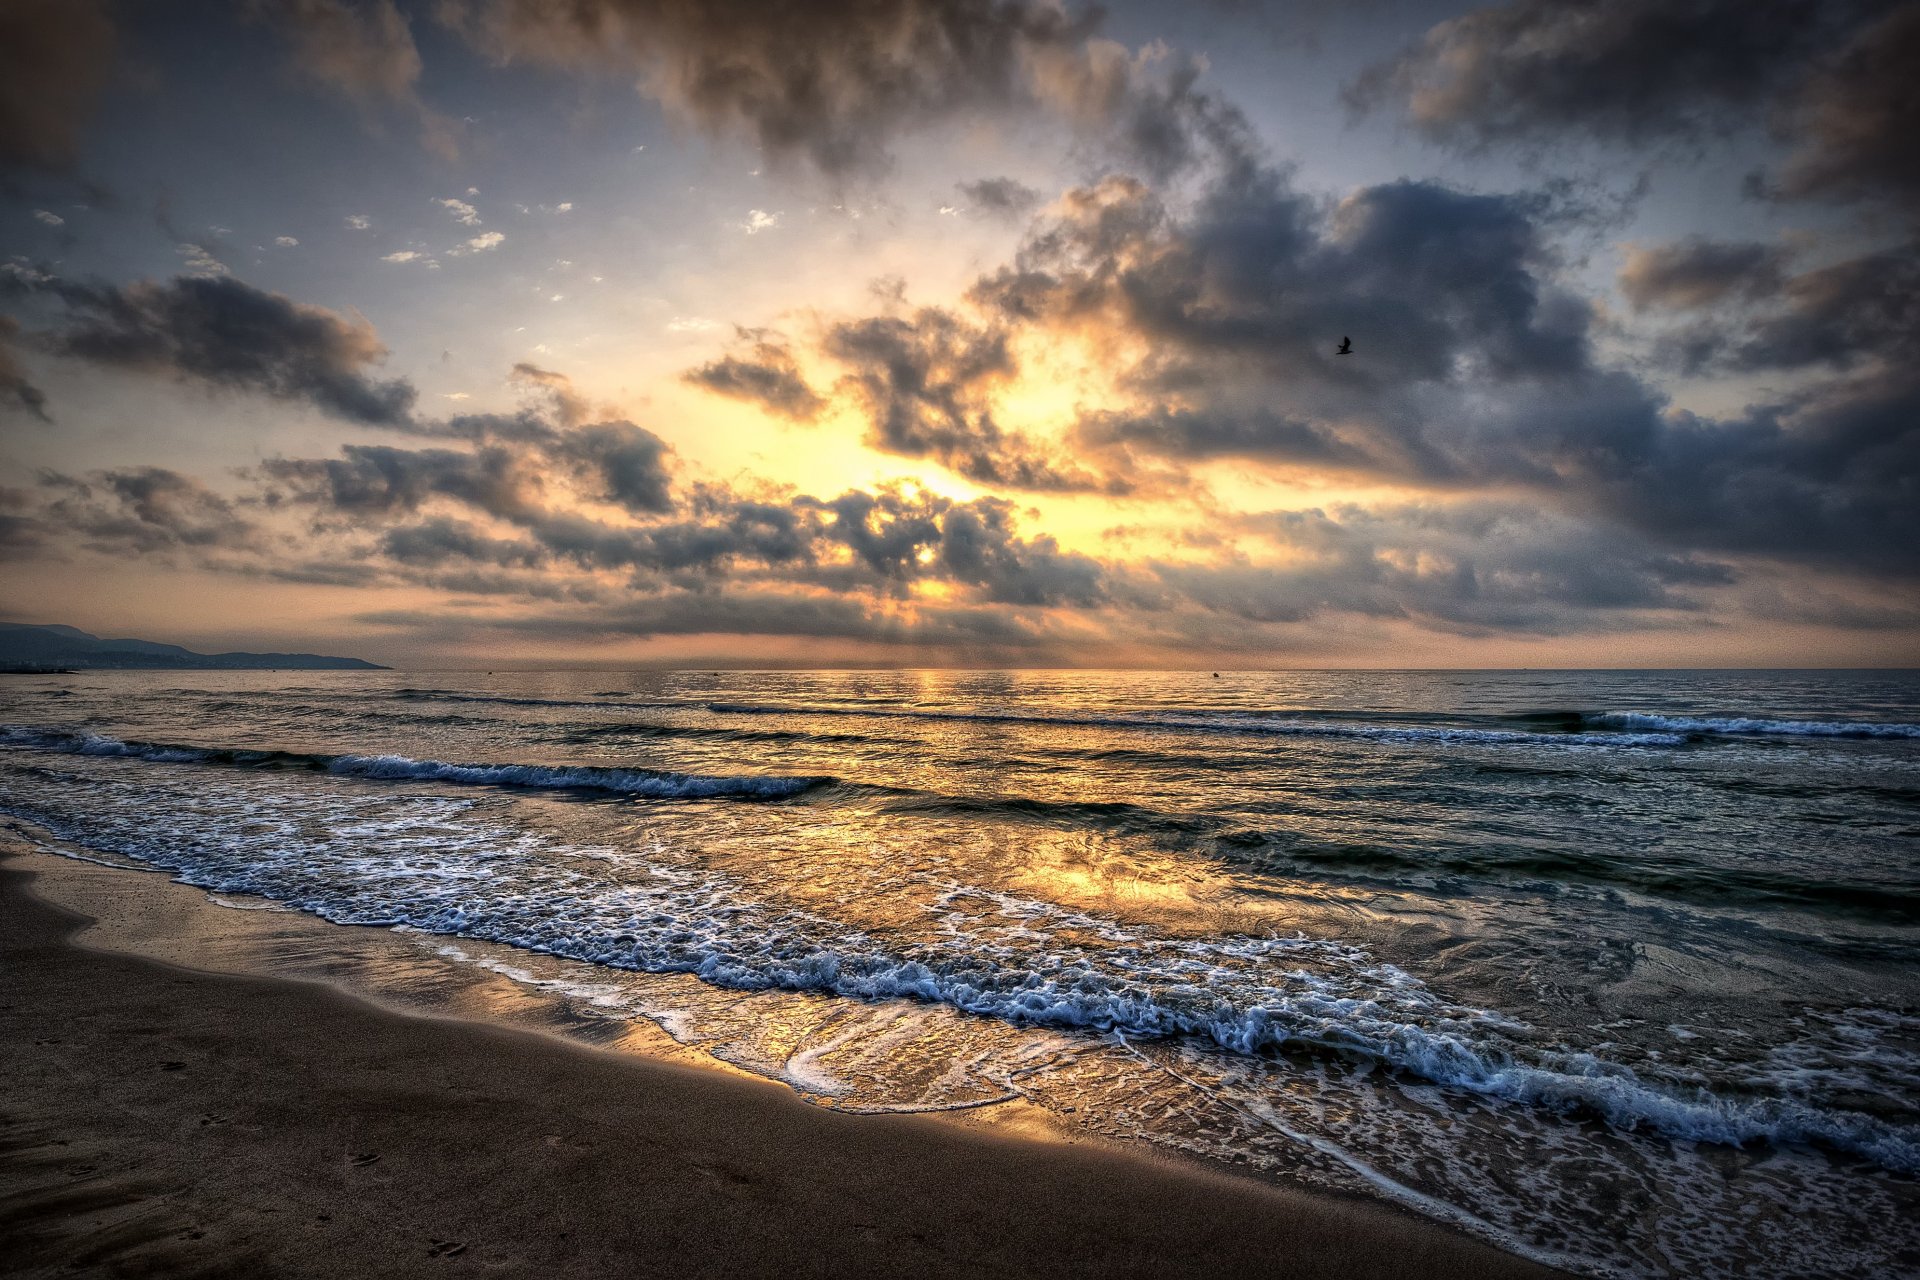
(1477, 366)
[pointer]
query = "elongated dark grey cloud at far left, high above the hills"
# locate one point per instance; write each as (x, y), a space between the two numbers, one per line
(229, 335)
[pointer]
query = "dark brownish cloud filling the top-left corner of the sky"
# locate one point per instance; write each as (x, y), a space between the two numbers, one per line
(57, 59)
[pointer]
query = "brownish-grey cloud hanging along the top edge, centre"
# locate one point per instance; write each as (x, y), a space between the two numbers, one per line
(834, 83)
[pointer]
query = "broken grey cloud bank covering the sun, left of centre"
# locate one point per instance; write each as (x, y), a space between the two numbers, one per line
(523, 467)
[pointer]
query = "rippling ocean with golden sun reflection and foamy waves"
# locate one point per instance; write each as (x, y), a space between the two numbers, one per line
(1614, 968)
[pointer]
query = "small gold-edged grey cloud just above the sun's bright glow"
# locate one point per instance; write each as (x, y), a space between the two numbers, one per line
(926, 387)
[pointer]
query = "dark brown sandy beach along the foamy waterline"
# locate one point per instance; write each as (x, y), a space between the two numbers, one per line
(166, 1122)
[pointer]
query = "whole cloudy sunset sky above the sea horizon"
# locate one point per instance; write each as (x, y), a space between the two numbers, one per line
(967, 333)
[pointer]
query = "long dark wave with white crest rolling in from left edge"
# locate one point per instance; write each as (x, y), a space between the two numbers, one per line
(650, 784)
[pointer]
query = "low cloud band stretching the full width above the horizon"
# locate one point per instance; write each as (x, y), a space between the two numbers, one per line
(894, 565)
